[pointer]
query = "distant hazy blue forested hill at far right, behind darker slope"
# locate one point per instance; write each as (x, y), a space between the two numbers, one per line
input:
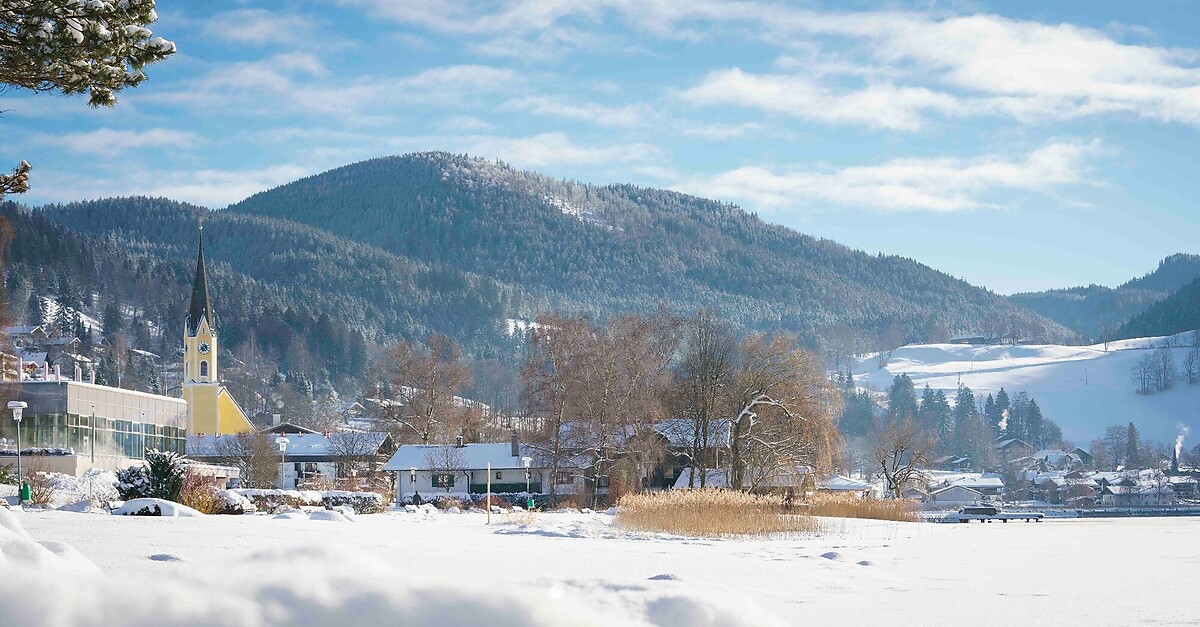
(1097, 313)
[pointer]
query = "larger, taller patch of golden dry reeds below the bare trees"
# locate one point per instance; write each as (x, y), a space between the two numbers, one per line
(711, 513)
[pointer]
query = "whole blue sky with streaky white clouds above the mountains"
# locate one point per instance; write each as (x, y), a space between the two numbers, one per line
(1018, 146)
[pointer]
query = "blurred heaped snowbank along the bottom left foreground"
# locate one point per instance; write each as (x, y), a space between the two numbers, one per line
(340, 587)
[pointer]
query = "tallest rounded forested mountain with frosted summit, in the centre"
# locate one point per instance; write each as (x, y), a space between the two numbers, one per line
(621, 248)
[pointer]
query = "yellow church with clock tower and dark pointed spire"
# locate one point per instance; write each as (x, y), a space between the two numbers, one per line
(212, 410)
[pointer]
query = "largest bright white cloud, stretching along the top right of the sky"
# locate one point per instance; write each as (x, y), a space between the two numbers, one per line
(1023, 69)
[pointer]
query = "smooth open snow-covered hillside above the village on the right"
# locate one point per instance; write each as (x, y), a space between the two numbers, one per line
(1083, 389)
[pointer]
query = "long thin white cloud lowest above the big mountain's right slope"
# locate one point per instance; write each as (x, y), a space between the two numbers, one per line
(938, 184)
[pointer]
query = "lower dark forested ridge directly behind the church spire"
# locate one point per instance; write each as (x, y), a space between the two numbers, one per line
(309, 301)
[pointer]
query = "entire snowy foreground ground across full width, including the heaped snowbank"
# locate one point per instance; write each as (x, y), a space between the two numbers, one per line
(580, 570)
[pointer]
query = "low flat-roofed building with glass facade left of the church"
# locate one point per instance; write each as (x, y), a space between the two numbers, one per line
(95, 420)
